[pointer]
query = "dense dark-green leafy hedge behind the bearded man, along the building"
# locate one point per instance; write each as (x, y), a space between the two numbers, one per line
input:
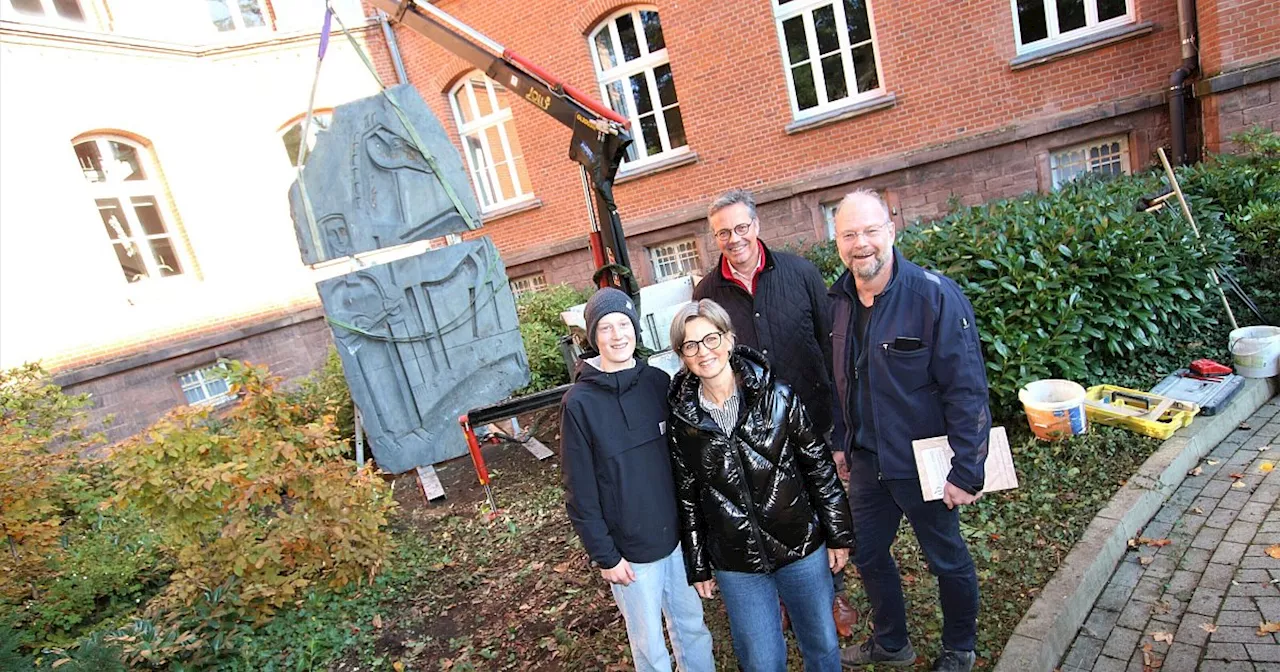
(1081, 285)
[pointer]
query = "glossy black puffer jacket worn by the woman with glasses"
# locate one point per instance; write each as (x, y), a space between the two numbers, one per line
(762, 499)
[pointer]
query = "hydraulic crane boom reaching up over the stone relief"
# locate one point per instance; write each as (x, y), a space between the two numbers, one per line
(600, 140)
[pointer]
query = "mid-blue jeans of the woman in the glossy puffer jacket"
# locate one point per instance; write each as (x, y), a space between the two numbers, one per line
(756, 621)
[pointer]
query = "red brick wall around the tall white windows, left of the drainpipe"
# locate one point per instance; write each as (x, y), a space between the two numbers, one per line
(733, 94)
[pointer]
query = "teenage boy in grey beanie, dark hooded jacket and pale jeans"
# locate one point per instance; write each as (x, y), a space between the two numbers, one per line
(620, 495)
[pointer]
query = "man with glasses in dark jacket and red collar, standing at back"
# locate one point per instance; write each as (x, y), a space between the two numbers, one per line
(779, 305)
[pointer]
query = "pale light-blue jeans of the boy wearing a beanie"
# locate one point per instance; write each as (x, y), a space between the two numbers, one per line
(662, 589)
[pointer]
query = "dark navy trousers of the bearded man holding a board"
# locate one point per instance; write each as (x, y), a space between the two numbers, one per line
(879, 509)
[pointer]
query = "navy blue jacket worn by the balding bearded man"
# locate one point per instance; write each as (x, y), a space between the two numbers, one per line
(939, 388)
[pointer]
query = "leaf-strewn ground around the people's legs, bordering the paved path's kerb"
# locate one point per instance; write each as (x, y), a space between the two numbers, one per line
(469, 591)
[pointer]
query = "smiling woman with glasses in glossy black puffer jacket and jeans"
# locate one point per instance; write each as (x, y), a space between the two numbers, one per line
(762, 513)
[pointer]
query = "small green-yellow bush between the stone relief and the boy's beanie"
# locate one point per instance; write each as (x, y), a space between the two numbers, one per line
(542, 328)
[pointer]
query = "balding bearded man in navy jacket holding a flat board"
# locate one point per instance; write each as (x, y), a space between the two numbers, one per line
(907, 365)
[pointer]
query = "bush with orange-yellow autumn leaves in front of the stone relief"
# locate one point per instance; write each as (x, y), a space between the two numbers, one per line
(260, 496)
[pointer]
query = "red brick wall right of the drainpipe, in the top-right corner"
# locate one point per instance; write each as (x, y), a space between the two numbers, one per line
(1237, 33)
